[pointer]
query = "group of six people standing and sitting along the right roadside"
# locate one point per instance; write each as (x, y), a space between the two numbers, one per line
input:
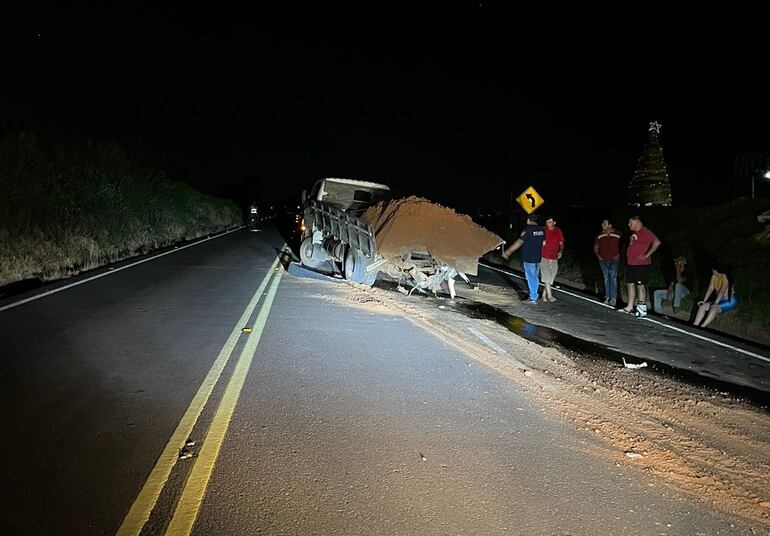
(542, 247)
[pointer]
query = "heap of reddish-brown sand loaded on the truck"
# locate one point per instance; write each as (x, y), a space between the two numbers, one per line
(415, 224)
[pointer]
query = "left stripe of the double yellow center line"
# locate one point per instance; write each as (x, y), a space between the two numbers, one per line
(144, 503)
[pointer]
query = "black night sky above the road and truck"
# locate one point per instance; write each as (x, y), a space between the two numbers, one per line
(462, 104)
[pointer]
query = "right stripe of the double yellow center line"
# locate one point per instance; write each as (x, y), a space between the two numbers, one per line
(194, 489)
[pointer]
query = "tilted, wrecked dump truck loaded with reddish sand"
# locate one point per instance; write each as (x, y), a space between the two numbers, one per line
(354, 229)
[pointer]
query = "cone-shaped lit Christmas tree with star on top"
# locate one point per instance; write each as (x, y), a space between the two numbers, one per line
(649, 186)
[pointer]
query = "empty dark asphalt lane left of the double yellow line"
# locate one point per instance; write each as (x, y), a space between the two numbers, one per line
(95, 379)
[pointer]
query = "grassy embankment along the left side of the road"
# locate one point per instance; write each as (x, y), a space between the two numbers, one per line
(67, 207)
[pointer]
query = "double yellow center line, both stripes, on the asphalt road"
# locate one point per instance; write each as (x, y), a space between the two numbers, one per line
(195, 487)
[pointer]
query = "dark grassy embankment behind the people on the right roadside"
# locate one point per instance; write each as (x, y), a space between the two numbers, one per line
(703, 235)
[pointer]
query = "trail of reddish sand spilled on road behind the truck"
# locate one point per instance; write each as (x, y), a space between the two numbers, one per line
(705, 443)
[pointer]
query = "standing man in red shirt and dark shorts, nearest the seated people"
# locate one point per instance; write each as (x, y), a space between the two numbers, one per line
(642, 244)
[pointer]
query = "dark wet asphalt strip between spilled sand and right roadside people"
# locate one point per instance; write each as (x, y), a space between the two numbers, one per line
(691, 350)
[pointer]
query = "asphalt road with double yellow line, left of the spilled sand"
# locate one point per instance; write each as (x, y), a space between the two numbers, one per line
(325, 419)
